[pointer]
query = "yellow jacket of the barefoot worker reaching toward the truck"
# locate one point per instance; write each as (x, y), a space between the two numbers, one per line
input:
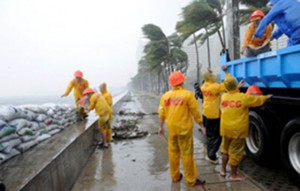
(235, 113)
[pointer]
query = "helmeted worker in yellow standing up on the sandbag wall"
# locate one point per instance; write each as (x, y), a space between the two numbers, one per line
(79, 84)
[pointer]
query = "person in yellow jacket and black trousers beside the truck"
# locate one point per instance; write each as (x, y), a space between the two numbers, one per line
(211, 91)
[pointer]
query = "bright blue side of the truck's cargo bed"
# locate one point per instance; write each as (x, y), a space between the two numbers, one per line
(274, 69)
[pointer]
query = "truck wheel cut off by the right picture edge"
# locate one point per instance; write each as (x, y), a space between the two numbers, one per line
(290, 149)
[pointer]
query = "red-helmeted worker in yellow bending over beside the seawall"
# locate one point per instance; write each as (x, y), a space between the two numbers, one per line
(103, 110)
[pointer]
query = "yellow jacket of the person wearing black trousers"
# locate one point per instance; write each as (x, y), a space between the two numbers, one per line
(212, 98)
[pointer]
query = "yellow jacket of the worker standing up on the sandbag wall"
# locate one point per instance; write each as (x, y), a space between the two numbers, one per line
(79, 87)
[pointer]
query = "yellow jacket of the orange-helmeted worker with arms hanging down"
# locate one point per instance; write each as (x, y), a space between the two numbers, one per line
(177, 107)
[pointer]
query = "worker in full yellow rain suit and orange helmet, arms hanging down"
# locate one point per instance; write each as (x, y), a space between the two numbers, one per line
(177, 108)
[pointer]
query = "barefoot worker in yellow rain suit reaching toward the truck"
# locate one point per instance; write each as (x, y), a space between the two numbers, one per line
(235, 125)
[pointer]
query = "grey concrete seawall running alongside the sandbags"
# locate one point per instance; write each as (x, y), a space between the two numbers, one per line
(56, 163)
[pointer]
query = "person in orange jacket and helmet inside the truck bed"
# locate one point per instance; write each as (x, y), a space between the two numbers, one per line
(250, 41)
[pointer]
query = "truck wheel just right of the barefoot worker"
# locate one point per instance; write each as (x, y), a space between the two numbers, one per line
(256, 142)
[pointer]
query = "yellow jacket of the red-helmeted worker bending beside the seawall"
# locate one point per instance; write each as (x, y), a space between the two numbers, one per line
(103, 110)
